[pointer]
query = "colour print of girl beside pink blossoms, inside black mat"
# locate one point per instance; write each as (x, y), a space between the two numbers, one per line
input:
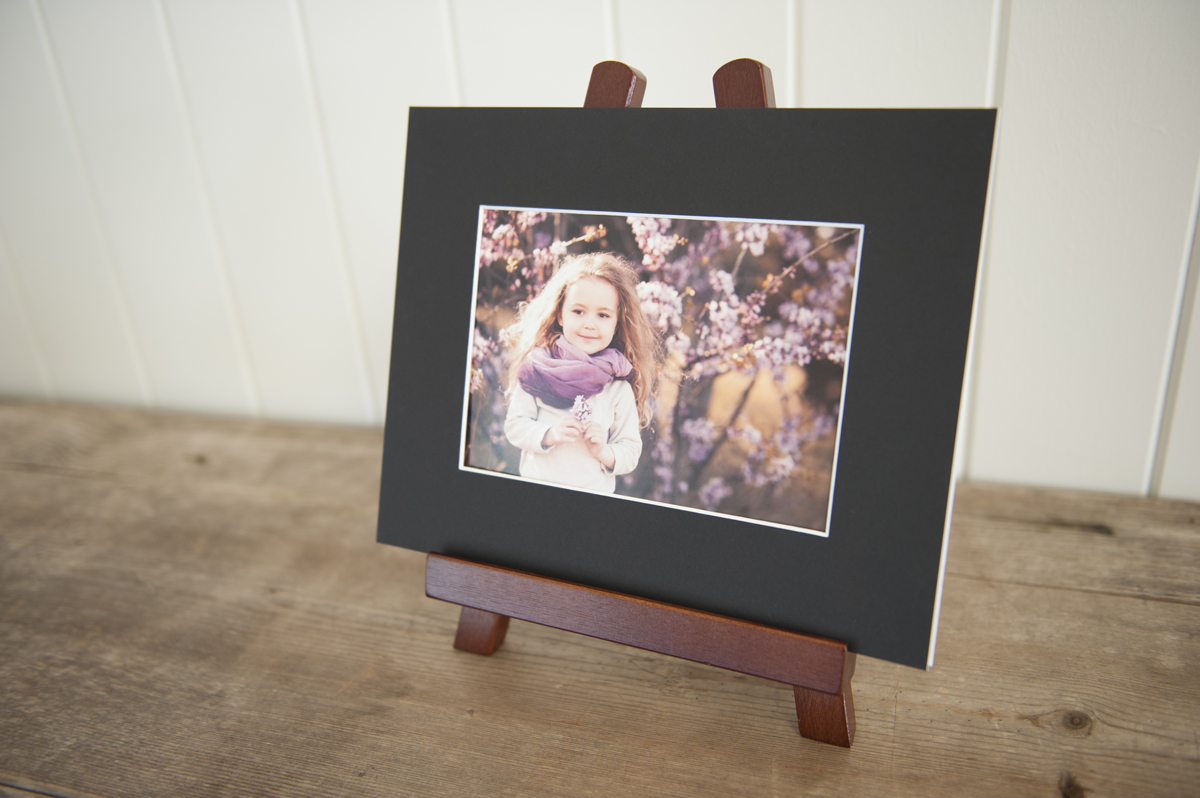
(694, 363)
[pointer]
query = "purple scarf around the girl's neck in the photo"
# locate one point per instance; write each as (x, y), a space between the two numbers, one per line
(560, 373)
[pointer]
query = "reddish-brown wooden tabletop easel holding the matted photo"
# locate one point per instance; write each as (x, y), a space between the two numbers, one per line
(818, 669)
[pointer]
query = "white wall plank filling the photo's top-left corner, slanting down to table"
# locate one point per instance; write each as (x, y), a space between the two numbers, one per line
(52, 229)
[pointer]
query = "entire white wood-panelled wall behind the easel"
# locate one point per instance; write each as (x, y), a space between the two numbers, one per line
(200, 200)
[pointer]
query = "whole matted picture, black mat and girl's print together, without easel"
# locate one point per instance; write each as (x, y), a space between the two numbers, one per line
(795, 446)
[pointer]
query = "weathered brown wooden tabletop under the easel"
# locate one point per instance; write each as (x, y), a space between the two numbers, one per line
(196, 607)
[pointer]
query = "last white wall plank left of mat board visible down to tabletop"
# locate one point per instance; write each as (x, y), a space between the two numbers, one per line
(250, 98)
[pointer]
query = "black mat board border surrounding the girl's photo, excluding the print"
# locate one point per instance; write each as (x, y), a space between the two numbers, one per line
(915, 179)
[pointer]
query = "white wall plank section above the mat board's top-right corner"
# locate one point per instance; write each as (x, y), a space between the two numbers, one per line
(884, 55)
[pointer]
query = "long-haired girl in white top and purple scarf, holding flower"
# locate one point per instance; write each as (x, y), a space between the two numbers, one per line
(584, 371)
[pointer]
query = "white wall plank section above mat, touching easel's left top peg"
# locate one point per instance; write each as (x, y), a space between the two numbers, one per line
(527, 52)
